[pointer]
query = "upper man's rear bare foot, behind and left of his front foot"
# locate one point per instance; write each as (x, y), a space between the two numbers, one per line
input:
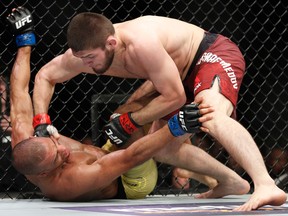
(232, 187)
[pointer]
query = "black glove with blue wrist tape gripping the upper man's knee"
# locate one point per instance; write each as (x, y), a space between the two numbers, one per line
(185, 121)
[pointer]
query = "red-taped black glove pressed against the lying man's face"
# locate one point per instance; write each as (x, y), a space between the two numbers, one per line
(40, 124)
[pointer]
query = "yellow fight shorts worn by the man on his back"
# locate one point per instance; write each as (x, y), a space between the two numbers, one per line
(139, 181)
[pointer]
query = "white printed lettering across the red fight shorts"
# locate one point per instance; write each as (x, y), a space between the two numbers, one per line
(213, 58)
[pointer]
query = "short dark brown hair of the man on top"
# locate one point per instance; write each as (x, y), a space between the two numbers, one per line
(88, 31)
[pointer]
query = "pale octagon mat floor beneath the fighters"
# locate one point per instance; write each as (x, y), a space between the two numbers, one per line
(152, 205)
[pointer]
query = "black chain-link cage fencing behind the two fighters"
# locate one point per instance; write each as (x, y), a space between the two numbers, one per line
(81, 106)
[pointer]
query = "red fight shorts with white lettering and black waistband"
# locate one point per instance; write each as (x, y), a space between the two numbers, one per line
(216, 56)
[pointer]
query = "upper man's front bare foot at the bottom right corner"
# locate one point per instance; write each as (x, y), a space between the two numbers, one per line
(264, 195)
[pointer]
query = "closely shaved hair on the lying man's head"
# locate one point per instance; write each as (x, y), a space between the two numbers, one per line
(27, 156)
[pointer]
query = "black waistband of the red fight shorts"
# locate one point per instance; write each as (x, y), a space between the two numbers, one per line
(207, 41)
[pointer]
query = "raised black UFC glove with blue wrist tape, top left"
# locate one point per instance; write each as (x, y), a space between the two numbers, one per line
(22, 26)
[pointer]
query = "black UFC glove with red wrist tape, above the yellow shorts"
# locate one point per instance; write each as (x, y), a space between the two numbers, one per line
(120, 128)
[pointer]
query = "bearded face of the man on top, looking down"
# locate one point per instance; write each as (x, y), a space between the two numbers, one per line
(98, 59)
